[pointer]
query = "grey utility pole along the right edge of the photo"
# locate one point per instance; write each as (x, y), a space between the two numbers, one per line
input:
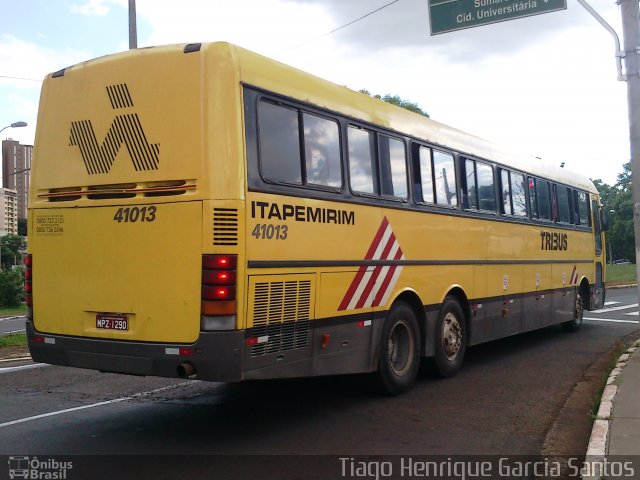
(631, 40)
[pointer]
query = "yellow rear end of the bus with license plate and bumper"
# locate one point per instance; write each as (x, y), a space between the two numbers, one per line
(120, 217)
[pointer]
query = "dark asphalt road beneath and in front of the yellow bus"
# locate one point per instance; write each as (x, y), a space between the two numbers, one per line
(505, 402)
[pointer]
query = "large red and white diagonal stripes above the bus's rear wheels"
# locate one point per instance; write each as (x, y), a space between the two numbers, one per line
(371, 287)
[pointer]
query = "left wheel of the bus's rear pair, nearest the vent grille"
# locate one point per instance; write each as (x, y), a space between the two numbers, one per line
(399, 359)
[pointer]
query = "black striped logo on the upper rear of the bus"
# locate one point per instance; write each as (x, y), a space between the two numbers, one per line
(125, 128)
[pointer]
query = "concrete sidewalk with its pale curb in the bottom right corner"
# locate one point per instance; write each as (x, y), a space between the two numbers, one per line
(615, 437)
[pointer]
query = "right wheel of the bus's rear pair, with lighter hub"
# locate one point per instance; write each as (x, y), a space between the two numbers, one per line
(451, 342)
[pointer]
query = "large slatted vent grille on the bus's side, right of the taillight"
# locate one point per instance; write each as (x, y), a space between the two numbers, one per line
(281, 316)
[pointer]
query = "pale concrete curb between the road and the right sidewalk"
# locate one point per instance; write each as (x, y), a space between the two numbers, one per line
(599, 440)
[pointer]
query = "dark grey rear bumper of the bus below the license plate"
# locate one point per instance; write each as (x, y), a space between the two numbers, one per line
(217, 356)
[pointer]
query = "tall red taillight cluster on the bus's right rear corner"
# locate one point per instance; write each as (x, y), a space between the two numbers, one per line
(218, 295)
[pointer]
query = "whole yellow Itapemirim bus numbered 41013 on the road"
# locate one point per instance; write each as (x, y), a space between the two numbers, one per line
(201, 211)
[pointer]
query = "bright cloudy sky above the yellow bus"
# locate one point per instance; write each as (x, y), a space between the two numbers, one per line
(544, 85)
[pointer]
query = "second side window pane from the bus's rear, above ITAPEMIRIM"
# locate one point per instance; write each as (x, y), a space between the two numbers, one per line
(322, 151)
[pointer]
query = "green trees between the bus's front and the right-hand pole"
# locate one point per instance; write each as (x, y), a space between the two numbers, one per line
(618, 204)
